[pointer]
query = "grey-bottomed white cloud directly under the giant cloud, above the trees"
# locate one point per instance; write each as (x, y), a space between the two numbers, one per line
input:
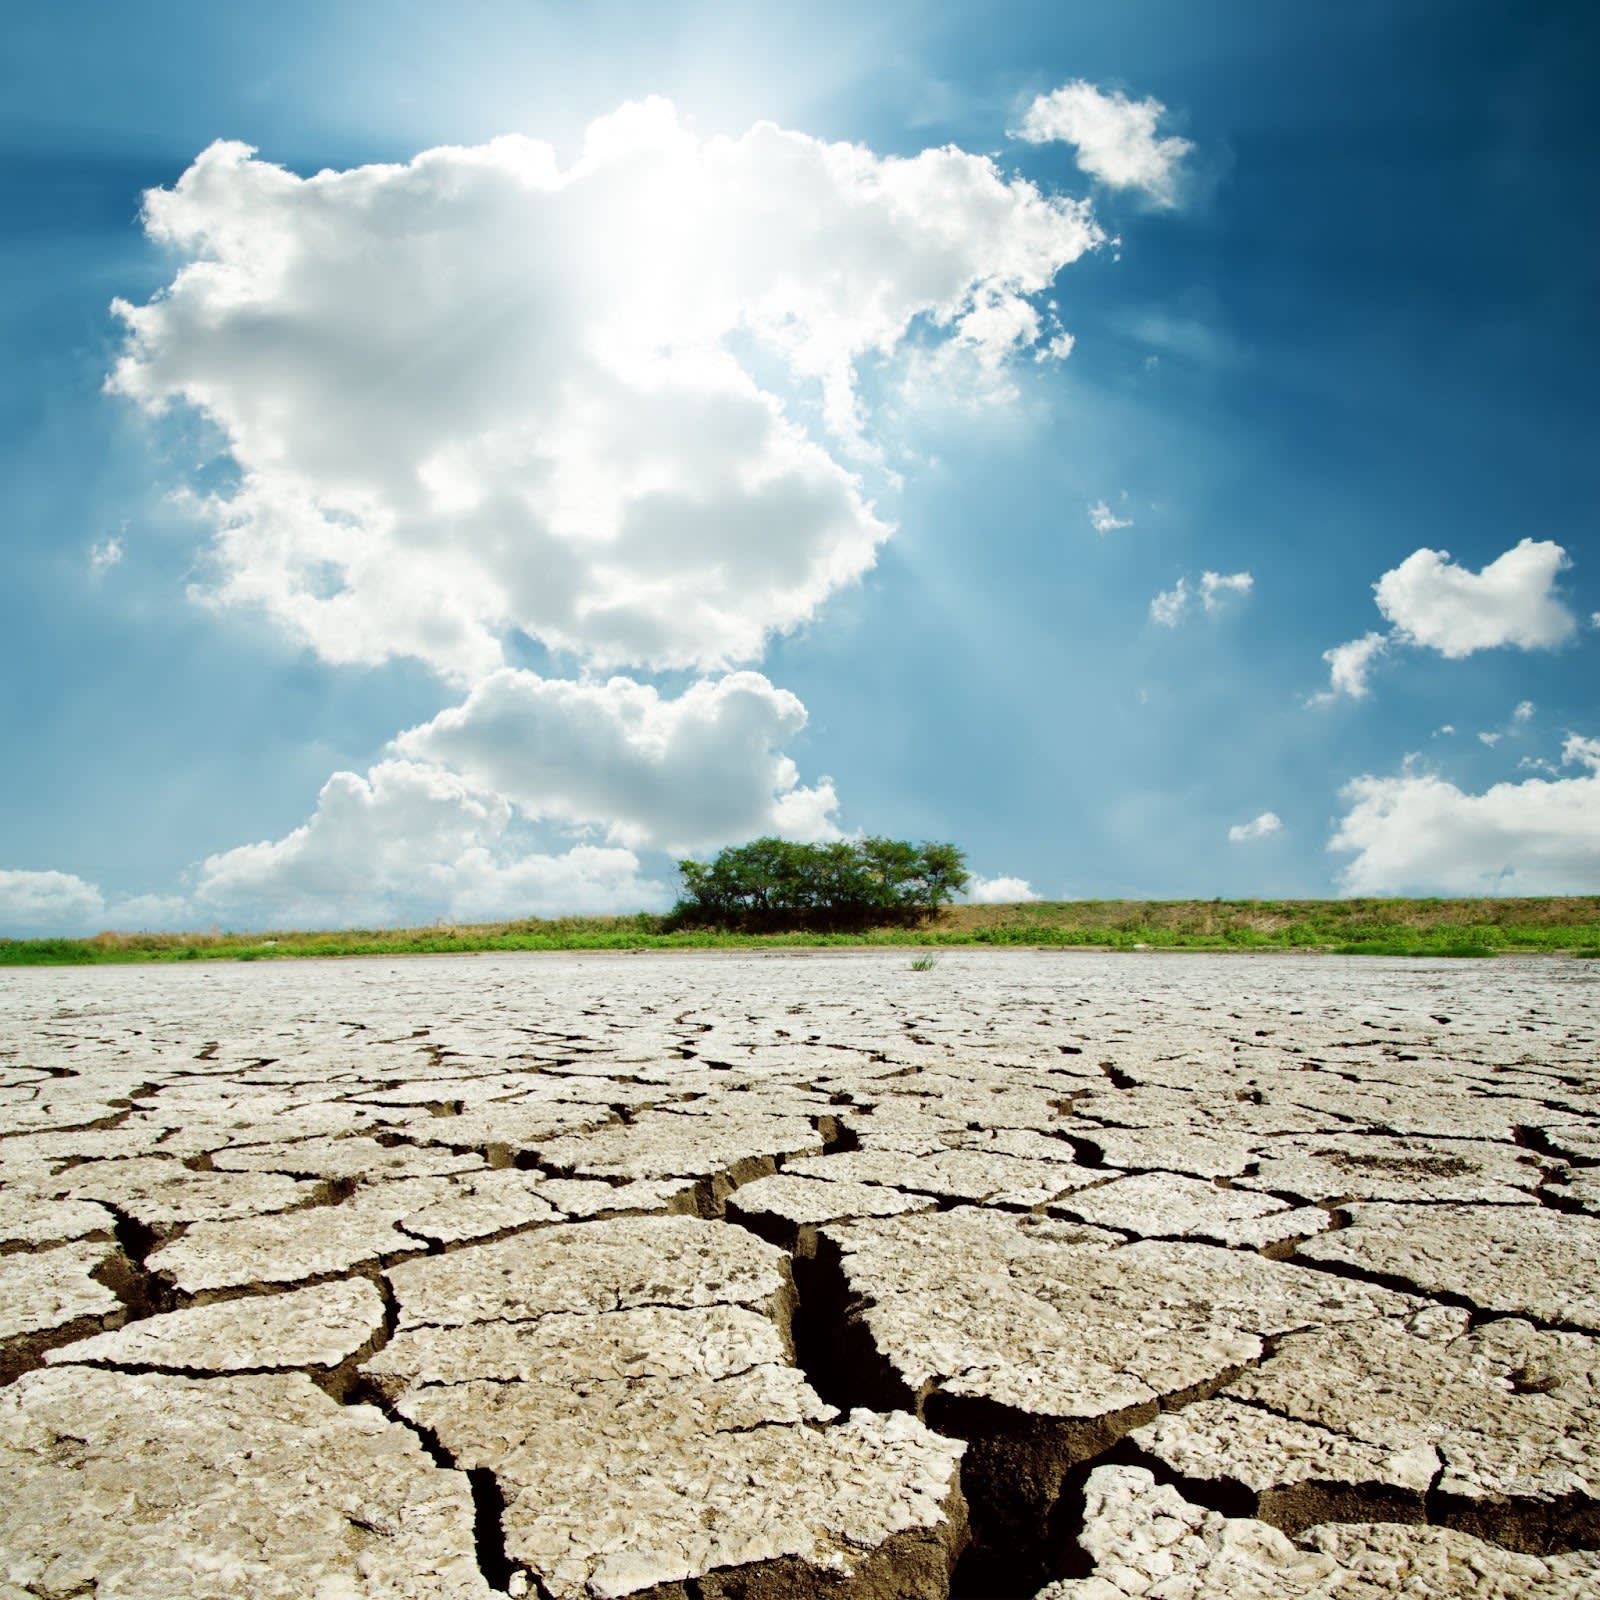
(678, 775)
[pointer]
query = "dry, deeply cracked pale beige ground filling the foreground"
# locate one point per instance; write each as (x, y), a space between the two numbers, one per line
(767, 1276)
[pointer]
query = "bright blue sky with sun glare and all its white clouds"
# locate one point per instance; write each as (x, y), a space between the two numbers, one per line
(463, 462)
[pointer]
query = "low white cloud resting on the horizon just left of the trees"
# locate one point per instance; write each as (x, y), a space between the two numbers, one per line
(412, 844)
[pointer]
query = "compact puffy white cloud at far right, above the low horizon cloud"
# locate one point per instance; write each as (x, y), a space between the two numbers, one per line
(1454, 610)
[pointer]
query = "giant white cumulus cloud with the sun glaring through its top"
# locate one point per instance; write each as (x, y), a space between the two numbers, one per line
(482, 393)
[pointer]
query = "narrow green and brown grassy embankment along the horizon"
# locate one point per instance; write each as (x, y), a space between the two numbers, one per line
(1356, 927)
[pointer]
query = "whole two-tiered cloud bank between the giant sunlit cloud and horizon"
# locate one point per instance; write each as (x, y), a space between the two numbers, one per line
(441, 828)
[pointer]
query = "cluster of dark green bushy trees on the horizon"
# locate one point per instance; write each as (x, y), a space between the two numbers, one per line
(777, 886)
